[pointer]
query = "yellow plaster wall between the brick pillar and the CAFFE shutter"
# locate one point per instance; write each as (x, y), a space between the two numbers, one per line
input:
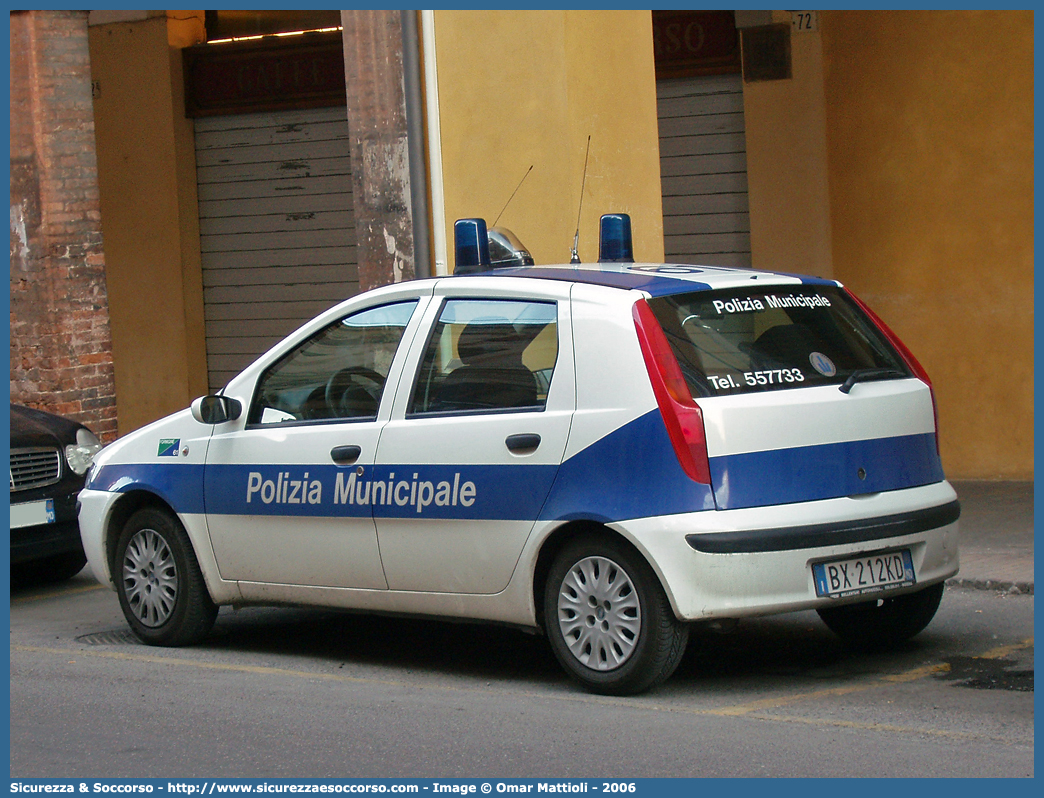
(147, 176)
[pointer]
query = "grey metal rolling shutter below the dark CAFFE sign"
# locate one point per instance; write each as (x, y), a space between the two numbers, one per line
(276, 228)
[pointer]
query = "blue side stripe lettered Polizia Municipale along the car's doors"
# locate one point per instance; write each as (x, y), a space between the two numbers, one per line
(631, 474)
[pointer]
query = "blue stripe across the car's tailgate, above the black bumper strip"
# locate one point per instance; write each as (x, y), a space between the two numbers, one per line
(809, 474)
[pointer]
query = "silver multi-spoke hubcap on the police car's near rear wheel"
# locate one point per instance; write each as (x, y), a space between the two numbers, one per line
(600, 615)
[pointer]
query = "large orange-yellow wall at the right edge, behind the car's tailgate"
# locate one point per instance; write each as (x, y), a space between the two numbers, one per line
(931, 138)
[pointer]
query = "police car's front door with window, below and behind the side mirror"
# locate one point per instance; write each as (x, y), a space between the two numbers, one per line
(279, 491)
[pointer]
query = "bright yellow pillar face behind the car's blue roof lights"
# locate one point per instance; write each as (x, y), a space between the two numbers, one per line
(528, 88)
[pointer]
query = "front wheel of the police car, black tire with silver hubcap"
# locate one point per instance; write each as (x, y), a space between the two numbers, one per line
(159, 582)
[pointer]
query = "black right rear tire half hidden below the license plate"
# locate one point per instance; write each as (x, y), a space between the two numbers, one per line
(883, 624)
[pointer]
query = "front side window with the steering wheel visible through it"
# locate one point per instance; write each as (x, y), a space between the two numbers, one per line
(338, 374)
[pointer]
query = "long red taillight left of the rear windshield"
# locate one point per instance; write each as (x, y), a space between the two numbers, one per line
(682, 416)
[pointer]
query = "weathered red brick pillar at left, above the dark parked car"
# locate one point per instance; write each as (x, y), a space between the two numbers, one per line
(61, 348)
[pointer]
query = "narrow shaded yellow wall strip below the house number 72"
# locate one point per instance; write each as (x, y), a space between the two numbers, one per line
(787, 166)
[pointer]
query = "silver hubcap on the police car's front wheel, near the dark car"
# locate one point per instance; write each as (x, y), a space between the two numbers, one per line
(150, 578)
